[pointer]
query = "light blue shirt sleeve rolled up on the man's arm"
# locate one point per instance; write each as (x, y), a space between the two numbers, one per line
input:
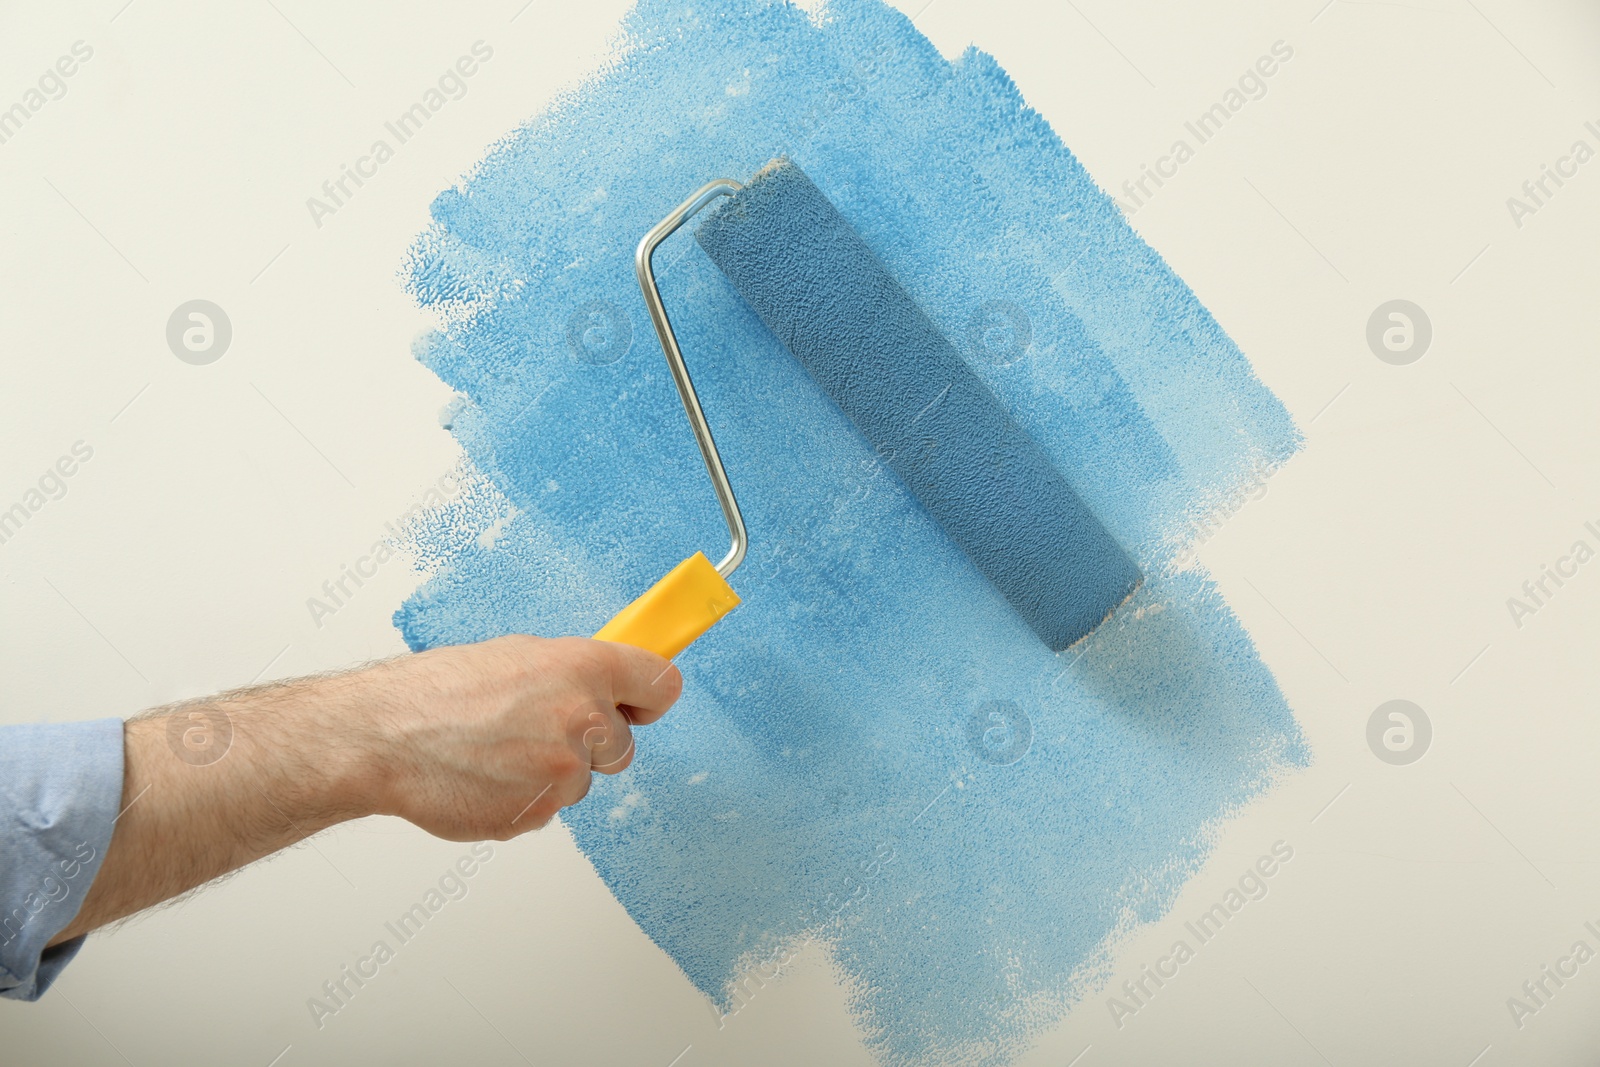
(60, 796)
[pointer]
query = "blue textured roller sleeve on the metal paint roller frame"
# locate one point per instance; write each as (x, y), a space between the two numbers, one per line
(818, 287)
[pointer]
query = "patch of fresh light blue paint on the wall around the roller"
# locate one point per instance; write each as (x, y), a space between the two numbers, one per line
(874, 753)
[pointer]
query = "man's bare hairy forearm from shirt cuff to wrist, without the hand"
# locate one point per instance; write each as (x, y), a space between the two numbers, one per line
(215, 785)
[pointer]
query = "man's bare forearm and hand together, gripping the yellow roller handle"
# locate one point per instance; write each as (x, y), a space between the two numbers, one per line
(470, 743)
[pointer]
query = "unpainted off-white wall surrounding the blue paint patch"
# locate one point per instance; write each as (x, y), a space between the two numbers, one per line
(1377, 567)
